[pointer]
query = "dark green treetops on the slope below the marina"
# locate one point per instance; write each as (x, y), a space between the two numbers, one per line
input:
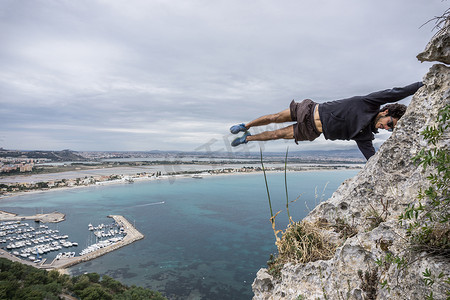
(19, 281)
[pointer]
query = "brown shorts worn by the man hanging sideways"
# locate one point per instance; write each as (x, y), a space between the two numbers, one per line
(303, 113)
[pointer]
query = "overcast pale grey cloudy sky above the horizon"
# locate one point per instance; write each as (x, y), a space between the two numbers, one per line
(140, 75)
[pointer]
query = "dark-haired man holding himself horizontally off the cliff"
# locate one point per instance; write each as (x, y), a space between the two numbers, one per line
(356, 118)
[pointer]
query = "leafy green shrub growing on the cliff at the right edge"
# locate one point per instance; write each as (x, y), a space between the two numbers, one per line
(430, 226)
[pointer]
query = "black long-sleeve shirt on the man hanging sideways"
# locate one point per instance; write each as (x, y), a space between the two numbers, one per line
(352, 118)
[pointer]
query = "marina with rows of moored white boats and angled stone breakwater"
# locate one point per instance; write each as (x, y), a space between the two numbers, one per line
(30, 243)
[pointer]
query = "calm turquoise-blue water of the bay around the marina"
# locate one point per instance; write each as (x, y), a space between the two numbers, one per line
(206, 241)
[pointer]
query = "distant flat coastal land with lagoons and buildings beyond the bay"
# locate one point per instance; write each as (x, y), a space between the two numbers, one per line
(22, 171)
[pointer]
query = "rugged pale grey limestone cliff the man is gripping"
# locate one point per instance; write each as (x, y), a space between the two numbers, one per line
(386, 185)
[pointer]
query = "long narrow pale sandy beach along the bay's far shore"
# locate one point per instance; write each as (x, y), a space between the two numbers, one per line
(123, 175)
